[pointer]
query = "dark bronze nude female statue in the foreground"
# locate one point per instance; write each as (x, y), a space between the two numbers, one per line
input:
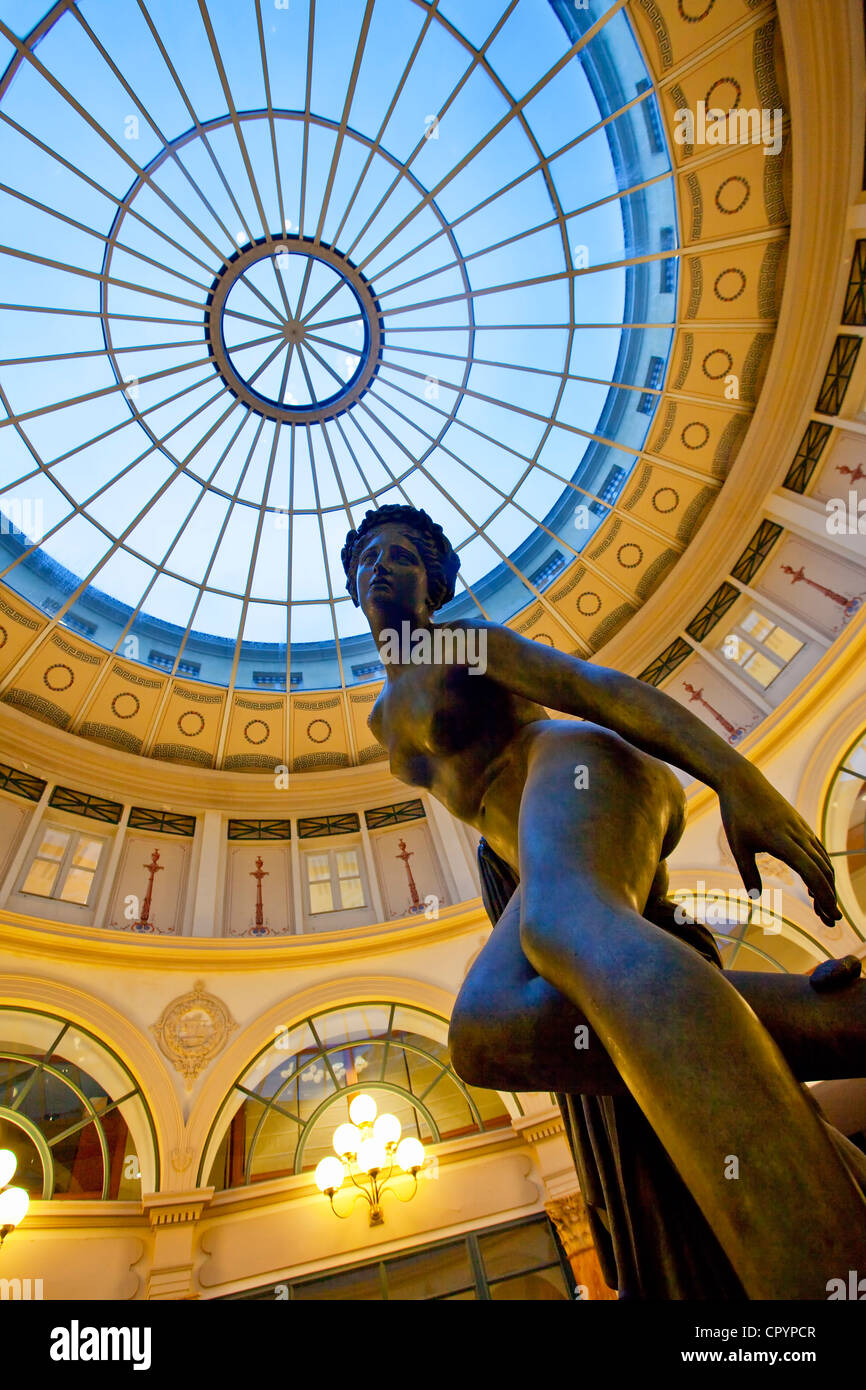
(576, 943)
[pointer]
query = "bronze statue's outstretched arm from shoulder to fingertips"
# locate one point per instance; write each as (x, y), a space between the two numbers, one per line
(755, 817)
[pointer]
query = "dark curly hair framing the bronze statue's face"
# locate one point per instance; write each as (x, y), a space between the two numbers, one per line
(423, 540)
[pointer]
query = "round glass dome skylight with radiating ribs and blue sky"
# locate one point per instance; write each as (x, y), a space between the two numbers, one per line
(270, 265)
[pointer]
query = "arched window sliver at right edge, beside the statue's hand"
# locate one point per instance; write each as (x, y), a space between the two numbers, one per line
(844, 833)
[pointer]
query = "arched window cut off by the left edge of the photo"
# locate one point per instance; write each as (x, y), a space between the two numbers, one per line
(70, 1110)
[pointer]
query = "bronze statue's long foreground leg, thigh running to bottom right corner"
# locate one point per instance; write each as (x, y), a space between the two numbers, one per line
(708, 1077)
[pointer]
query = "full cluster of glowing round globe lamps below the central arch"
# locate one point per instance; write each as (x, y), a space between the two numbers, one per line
(368, 1152)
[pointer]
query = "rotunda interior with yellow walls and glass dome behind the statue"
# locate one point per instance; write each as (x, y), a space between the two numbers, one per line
(585, 281)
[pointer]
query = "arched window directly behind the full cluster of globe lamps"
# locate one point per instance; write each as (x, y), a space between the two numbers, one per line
(295, 1093)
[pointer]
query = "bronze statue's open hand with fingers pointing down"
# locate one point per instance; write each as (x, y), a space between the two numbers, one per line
(758, 819)
